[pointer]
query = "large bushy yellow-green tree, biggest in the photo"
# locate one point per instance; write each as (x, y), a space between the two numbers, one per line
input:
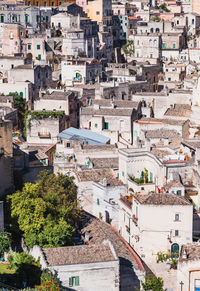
(46, 211)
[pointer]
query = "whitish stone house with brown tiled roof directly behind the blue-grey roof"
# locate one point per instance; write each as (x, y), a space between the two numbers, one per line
(111, 118)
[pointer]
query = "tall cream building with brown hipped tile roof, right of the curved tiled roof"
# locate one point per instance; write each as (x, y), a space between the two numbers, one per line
(140, 226)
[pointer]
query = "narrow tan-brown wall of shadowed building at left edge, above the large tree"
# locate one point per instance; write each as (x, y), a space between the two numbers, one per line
(6, 157)
